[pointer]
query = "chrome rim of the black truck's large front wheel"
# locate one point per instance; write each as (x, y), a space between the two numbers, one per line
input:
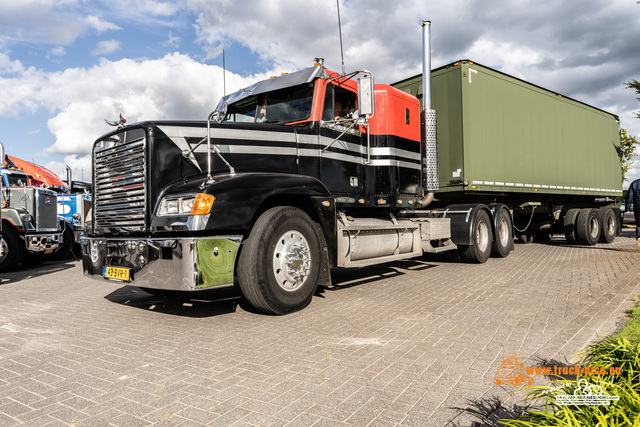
(291, 260)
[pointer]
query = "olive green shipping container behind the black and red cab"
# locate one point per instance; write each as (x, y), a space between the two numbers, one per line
(497, 133)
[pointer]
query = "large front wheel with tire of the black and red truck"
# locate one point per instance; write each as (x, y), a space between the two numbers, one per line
(279, 263)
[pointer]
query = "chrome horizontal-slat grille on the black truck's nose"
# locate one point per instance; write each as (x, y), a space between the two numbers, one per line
(120, 186)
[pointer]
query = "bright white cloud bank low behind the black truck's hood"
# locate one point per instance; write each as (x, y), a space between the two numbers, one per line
(172, 87)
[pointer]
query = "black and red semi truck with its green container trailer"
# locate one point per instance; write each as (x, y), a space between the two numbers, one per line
(313, 170)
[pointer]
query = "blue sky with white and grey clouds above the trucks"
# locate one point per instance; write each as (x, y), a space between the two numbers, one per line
(66, 65)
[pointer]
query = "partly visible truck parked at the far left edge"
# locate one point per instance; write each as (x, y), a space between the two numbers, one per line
(30, 227)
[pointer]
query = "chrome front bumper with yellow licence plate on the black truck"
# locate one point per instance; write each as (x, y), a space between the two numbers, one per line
(184, 264)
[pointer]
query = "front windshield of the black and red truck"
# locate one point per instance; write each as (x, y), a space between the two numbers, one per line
(281, 106)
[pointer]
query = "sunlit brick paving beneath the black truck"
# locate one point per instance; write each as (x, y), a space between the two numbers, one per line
(414, 343)
